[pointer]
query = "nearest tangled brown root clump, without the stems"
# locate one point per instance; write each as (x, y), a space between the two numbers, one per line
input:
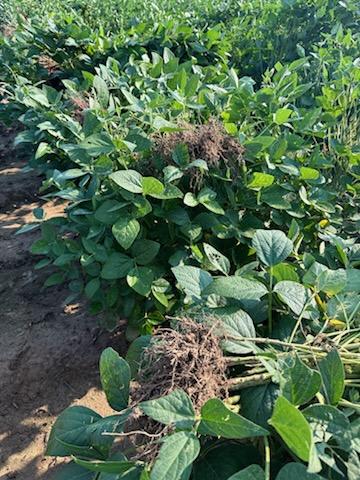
(188, 357)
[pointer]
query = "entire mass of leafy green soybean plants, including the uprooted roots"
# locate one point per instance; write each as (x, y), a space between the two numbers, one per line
(207, 156)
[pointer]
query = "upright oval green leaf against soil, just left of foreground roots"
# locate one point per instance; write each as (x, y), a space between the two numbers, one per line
(115, 379)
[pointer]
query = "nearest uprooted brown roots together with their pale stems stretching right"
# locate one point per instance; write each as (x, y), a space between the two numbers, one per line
(190, 357)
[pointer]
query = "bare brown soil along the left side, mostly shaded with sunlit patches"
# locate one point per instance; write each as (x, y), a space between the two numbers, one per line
(49, 352)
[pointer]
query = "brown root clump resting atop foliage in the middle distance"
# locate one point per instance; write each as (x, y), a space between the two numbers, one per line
(209, 142)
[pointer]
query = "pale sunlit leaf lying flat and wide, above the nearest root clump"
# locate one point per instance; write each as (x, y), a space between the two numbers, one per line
(236, 287)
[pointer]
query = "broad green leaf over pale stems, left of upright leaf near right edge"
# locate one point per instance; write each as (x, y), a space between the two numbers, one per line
(298, 383)
